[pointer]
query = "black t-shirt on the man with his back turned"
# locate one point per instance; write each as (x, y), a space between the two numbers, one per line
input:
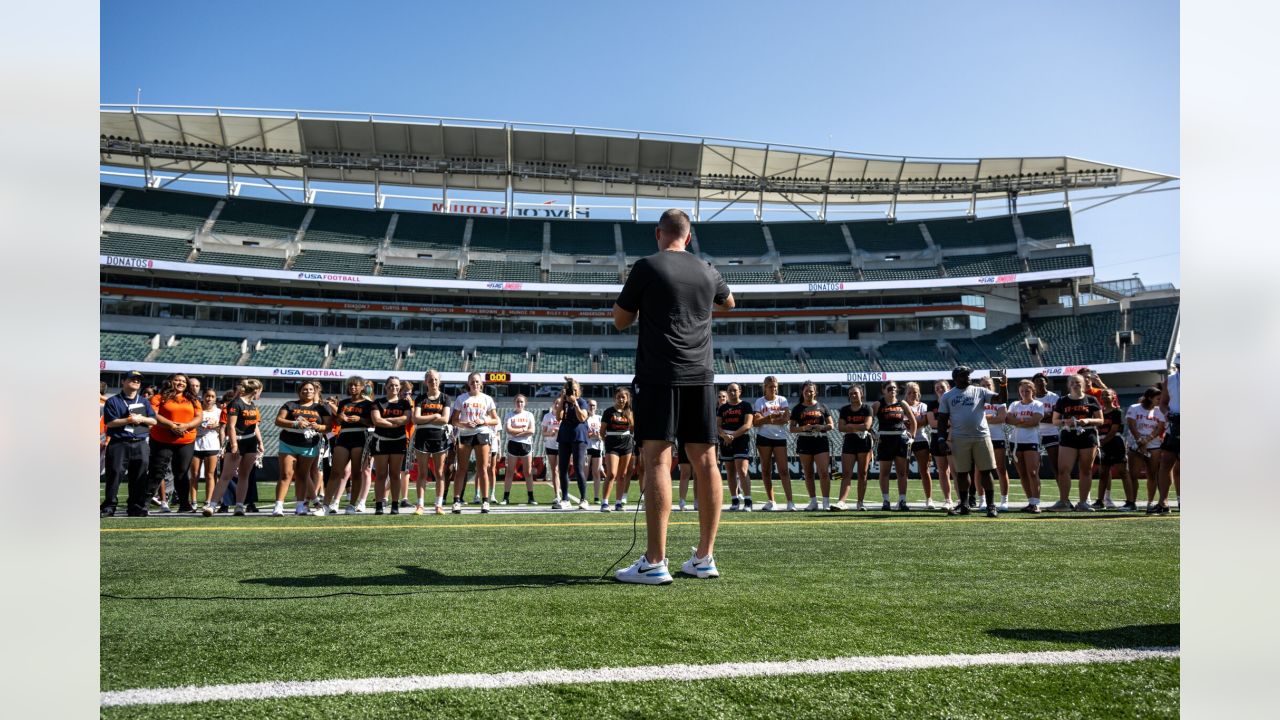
(675, 294)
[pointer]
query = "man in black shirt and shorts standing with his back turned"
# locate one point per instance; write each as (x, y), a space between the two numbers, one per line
(674, 294)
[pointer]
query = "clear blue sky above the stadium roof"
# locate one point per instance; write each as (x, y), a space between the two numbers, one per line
(1086, 79)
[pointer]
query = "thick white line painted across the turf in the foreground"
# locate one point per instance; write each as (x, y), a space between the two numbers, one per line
(646, 673)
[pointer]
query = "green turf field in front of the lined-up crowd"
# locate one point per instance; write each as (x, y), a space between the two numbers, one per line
(520, 593)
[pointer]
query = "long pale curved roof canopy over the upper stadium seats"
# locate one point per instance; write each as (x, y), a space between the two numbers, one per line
(509, 157)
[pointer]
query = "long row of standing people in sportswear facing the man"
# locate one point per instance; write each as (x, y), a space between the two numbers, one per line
(177, 436)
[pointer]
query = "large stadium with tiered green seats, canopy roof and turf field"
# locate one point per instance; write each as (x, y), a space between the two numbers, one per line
(290, 245)
